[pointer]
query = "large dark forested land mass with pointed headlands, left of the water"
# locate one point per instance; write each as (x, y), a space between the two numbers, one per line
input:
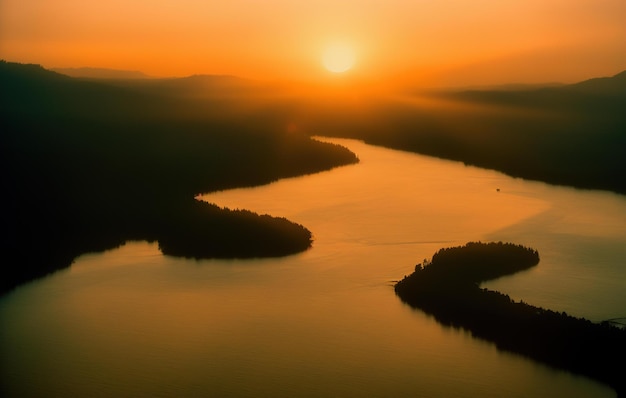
(91, 164)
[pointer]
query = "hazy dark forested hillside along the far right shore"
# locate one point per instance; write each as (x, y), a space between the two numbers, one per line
(572, 135)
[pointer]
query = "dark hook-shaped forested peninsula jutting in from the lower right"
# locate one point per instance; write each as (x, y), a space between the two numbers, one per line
(448, 288)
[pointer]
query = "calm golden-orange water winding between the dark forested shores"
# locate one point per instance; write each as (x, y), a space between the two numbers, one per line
(324, 323)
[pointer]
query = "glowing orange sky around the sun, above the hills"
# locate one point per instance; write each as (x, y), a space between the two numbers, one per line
(445, 42)
